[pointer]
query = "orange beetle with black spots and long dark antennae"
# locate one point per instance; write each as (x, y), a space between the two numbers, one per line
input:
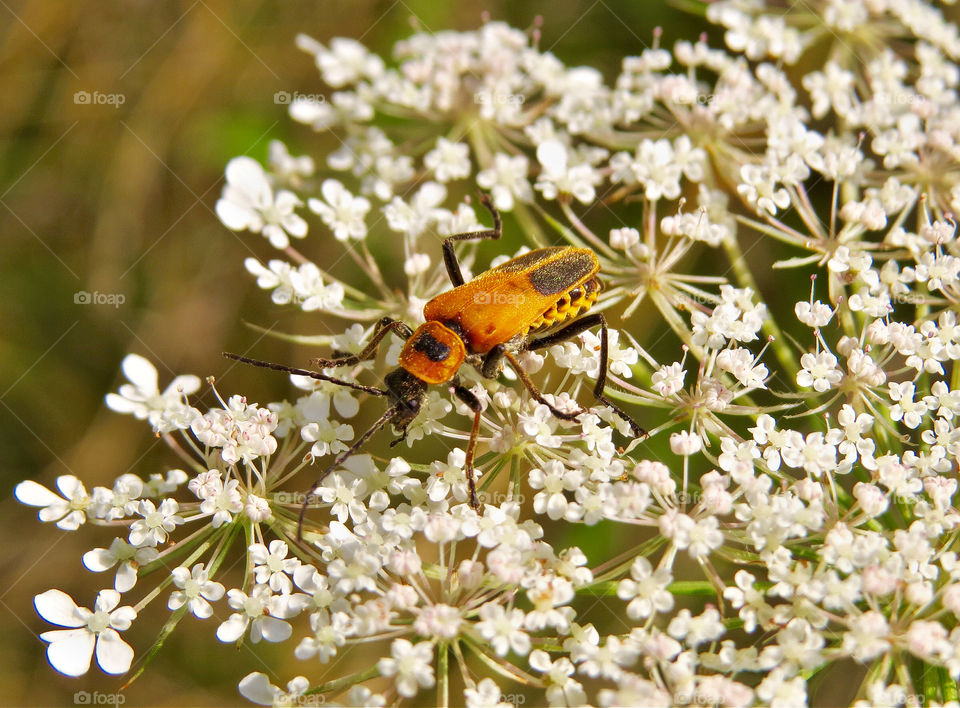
(481, 323)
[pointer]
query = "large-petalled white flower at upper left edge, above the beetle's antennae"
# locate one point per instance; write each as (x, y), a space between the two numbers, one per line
(248, 203)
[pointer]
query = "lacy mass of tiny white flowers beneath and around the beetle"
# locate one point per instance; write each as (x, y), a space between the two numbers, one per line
(793, 507)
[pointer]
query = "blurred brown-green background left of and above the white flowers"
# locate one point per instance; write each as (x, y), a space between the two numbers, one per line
(119, 200)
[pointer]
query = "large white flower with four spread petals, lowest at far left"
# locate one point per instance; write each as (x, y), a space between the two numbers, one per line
(90, 632)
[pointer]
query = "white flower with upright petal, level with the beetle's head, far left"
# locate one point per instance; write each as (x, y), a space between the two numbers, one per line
(164, 411)
